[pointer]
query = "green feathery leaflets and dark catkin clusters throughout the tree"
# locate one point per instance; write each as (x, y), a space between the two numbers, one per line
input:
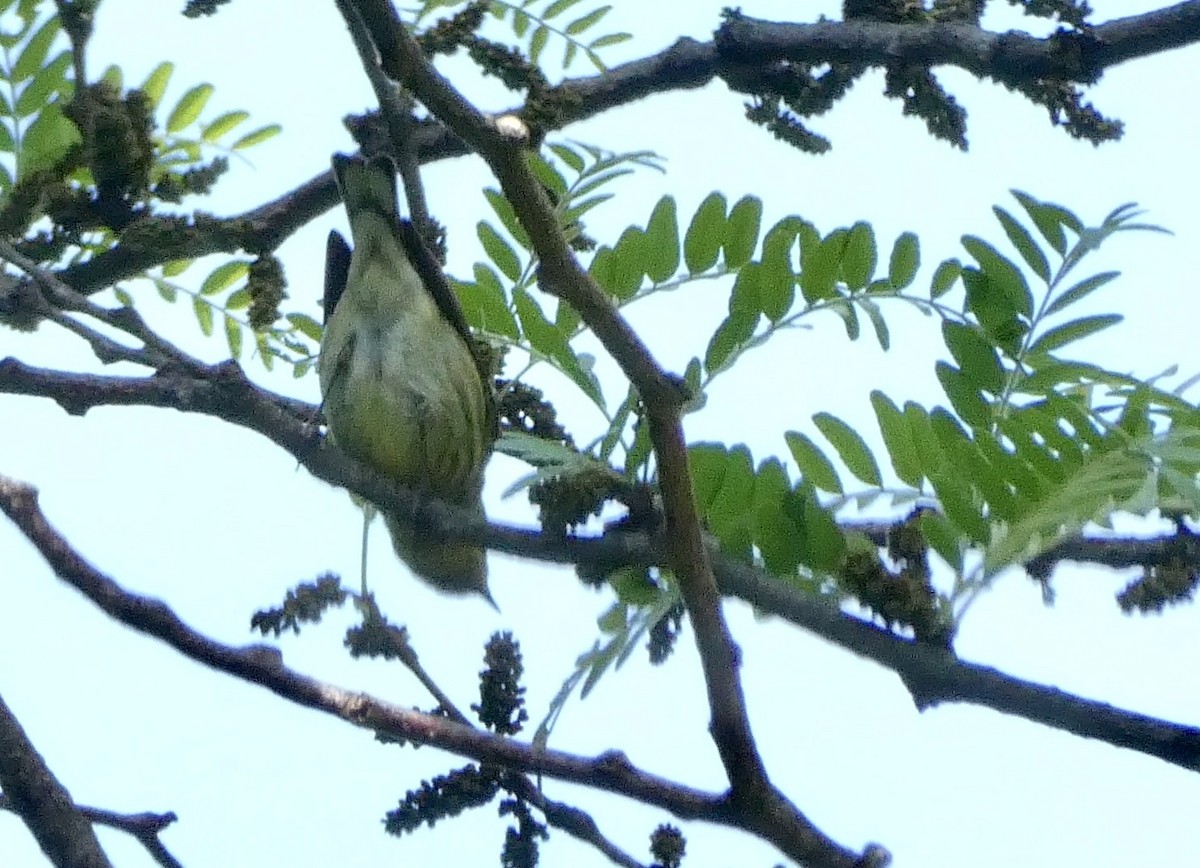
(1031, 452)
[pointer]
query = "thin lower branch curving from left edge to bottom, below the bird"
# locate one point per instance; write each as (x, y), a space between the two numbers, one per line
(263, 666)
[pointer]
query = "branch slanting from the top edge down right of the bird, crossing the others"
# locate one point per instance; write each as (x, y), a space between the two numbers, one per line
(562, 274)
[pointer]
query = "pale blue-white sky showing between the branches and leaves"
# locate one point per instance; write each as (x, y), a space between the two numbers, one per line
(219, 523)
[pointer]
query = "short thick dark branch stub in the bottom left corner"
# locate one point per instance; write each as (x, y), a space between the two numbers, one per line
(33, 792)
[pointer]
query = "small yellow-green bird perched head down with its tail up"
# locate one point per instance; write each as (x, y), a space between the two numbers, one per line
(405, 390)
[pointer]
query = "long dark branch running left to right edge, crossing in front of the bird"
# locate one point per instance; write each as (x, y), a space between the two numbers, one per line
(932, 675)
